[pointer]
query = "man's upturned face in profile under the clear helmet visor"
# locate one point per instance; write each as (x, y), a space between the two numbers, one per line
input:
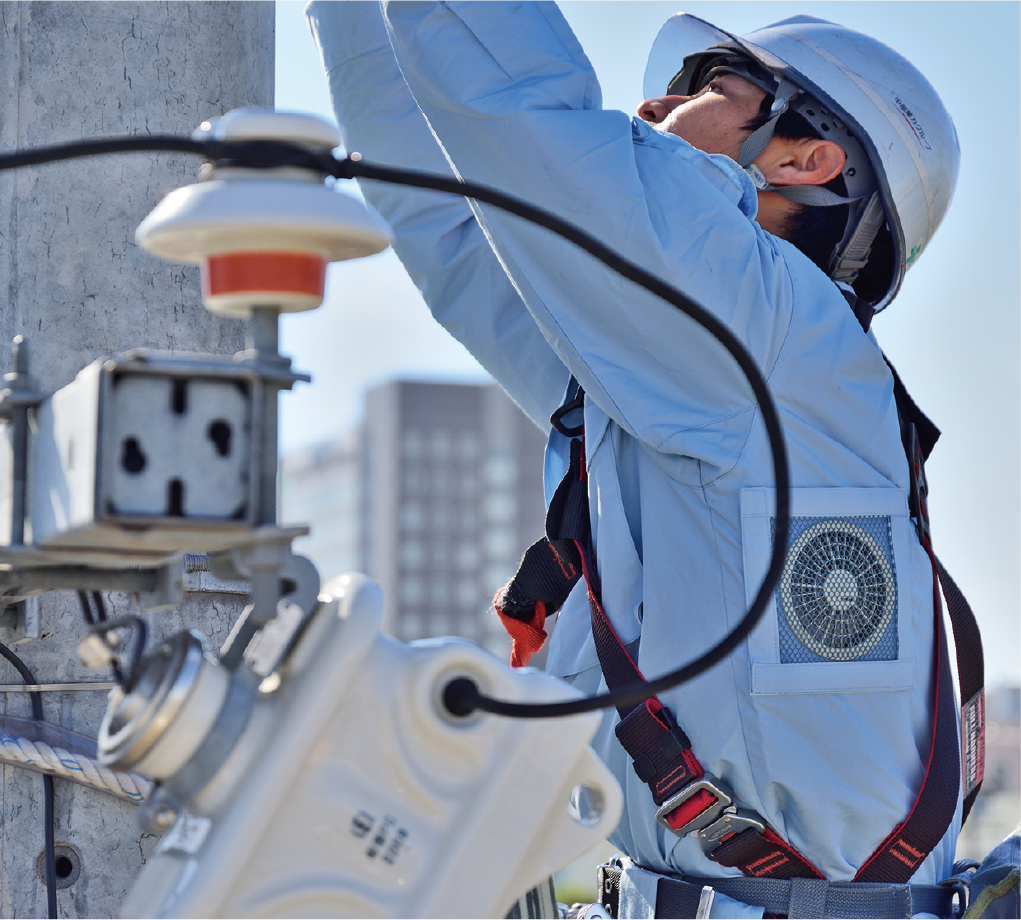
(715, 120)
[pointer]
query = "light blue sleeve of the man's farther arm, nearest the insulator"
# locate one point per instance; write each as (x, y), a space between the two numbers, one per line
(439, 239)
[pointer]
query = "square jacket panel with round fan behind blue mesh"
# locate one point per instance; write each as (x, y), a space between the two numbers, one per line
(842, 618)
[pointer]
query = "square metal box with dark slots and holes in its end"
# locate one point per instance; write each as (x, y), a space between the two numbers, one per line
(148, 454)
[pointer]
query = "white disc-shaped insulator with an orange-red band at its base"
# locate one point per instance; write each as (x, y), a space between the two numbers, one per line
(264, 236)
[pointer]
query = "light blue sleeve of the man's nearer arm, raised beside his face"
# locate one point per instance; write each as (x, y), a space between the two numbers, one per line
(510, 94)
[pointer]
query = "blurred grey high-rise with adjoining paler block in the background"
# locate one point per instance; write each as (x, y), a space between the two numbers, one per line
(435, 497)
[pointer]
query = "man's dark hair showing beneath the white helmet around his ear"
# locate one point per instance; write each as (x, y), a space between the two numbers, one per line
(816, 231)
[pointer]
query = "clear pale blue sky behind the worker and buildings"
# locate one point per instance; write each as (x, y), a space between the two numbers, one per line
(953, 333)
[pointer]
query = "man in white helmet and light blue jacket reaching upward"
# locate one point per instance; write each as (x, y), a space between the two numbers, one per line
(787, 181)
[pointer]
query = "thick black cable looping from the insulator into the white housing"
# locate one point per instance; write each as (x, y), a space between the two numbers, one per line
(464, 696)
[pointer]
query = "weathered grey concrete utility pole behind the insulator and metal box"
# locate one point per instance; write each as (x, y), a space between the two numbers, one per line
(78, 287)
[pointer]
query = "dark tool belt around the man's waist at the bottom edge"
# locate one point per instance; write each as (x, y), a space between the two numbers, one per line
(798, 899)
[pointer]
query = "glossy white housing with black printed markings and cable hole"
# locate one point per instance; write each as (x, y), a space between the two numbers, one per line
(355, 795)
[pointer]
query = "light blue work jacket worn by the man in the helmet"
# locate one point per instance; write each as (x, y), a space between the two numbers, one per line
(831, 753)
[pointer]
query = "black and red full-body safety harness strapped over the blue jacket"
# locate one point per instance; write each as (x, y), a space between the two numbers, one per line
(691, 800)
